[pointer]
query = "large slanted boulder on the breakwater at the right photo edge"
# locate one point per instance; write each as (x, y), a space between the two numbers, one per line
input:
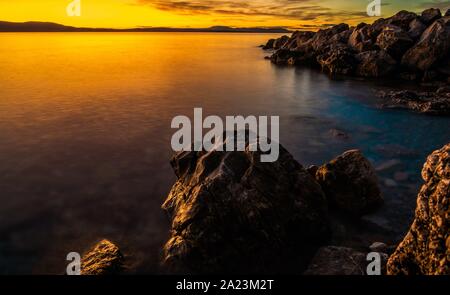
(434, 44)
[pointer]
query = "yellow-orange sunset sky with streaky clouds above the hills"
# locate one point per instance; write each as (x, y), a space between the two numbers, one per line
(294, 14)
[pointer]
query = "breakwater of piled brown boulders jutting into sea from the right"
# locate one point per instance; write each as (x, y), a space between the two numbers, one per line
(407, 46)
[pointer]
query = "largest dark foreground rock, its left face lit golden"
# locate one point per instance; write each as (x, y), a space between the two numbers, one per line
(231, 213)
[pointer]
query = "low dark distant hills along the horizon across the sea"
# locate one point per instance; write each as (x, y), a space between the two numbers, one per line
(54, 27)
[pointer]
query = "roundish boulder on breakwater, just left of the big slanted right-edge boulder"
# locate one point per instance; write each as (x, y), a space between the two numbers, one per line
(394, 41)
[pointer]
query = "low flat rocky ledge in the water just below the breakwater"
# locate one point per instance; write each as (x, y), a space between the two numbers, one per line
(432, 103)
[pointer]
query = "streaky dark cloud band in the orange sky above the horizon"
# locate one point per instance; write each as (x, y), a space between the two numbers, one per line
(287, 9)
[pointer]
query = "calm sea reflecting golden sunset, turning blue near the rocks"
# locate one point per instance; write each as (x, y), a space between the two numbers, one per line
(85, 134)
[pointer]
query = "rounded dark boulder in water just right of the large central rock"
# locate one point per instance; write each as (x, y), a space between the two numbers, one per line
(350, 183)
